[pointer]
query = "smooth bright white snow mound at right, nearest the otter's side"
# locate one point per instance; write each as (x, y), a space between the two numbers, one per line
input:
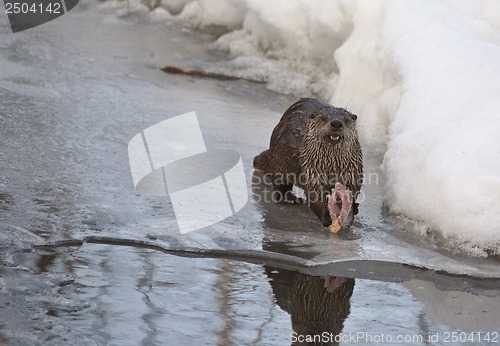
(443, 158)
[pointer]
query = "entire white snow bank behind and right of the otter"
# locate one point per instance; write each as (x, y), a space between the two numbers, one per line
(424, 78)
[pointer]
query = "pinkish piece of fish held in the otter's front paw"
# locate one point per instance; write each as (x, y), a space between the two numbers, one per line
(340, 207)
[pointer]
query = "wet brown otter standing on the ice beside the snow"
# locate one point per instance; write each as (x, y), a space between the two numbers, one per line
(314, 146)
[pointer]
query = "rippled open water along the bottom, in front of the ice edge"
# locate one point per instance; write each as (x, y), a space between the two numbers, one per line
(102, 294)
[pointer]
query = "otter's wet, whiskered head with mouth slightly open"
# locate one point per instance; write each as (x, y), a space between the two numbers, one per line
(333, 125)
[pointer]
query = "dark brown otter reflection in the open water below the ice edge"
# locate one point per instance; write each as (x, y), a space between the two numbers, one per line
(318, 306)
